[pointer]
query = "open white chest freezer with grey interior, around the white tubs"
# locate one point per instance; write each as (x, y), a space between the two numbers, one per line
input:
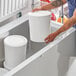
(49, 60)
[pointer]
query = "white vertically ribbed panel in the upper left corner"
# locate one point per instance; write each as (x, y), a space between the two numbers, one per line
(10, 7)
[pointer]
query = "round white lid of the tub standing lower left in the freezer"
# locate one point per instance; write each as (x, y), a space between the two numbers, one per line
(15, 41)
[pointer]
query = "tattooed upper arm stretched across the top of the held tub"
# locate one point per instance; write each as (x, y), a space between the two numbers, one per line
(52, 5)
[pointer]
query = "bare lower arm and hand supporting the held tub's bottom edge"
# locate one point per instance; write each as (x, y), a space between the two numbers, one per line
(65, 27)
